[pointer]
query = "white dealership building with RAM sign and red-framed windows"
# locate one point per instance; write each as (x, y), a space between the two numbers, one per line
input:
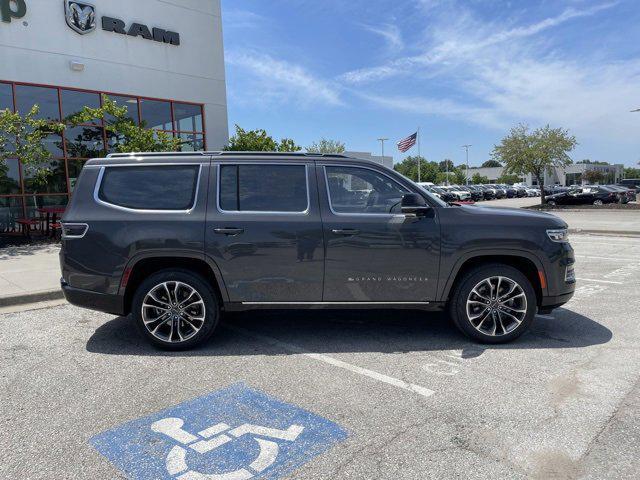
(163, 59)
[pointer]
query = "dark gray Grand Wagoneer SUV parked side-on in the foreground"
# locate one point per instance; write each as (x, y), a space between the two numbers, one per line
(176, 239)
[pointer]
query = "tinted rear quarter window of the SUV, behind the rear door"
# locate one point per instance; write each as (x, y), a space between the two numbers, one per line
(150, 187)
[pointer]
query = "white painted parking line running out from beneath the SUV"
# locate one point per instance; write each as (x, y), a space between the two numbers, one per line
(425, 392)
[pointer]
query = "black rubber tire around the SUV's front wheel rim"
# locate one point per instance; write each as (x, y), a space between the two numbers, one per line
(463, 290)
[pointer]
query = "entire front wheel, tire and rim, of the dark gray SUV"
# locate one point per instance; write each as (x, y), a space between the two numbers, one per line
(493, 304)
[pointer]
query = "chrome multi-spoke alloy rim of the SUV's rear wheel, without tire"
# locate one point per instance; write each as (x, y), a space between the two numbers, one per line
(173, 312)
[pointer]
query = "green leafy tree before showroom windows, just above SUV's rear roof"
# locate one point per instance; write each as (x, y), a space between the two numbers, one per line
(128, 136)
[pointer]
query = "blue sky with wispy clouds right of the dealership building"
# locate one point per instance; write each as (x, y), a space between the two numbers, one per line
(464, 71)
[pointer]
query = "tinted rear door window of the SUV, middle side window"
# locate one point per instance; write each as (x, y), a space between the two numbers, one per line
(263, 188)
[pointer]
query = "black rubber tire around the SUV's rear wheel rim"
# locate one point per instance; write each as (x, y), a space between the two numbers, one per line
(211, 308)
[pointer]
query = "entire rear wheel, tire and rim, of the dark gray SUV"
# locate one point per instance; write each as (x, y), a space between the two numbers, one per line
(175, 309)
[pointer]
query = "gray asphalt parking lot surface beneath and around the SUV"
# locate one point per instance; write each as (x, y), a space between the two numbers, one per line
(411, 397)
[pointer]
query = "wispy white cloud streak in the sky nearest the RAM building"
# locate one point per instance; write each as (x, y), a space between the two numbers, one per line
(284, 81)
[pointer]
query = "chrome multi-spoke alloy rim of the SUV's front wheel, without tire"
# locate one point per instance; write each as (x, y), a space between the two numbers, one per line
(496, 306)
